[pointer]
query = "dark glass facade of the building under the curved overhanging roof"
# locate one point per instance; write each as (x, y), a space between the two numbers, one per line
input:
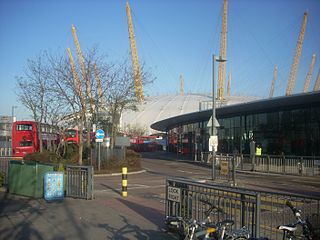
(288, 125)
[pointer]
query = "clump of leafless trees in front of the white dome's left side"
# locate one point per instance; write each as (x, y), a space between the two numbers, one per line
(51, 90)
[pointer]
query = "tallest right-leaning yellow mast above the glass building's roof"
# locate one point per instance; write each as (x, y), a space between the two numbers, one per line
(296, 59)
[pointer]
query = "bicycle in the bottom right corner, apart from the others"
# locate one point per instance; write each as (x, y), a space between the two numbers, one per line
(289, 229)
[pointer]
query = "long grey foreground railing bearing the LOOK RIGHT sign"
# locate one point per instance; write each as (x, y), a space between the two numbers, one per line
(261, 212)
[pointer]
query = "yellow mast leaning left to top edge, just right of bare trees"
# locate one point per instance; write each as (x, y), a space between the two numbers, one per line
(135, 59)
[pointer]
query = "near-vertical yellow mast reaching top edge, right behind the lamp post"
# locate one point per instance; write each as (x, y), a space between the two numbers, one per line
(223, 52)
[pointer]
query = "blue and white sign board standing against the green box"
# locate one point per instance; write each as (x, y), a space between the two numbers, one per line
(53, 186)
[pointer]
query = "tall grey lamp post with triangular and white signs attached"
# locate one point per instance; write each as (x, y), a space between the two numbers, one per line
(214, 135)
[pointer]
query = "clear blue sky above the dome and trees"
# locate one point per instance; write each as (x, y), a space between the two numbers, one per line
(173, 37)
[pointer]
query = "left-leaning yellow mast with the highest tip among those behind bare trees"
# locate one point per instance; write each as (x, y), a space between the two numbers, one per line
(83, 68)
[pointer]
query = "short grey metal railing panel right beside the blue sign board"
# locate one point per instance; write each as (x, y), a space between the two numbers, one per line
(79, 181)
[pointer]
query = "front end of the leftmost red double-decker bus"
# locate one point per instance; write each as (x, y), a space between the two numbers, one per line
(25, 138)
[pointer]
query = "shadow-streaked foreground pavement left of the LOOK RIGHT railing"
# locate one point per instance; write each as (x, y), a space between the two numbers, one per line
(100, 218)
